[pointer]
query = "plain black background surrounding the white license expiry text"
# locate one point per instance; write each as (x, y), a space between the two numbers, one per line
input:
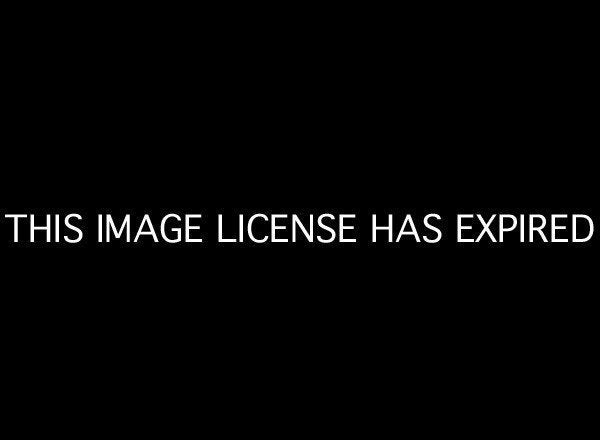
(369, 113)
